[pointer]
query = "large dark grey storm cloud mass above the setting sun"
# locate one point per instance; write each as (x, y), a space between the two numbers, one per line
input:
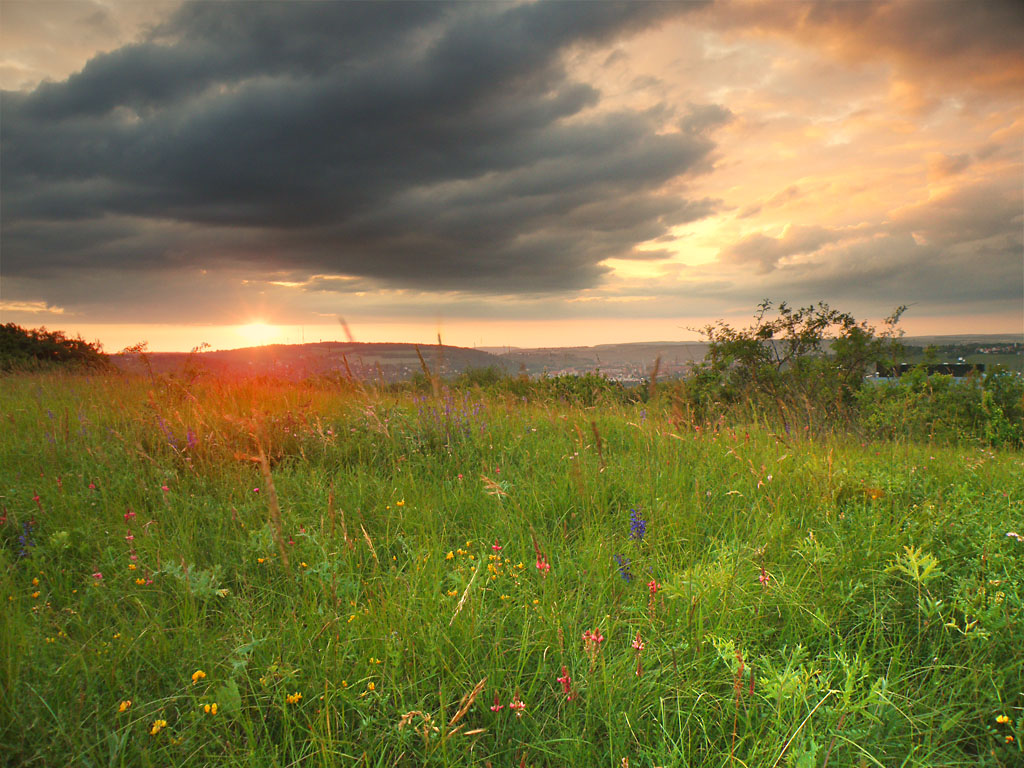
(420, 144)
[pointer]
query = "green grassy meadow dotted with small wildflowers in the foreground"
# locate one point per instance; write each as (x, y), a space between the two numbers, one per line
(869, 592)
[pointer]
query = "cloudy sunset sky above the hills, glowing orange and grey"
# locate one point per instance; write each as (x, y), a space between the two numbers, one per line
(506, 175)
